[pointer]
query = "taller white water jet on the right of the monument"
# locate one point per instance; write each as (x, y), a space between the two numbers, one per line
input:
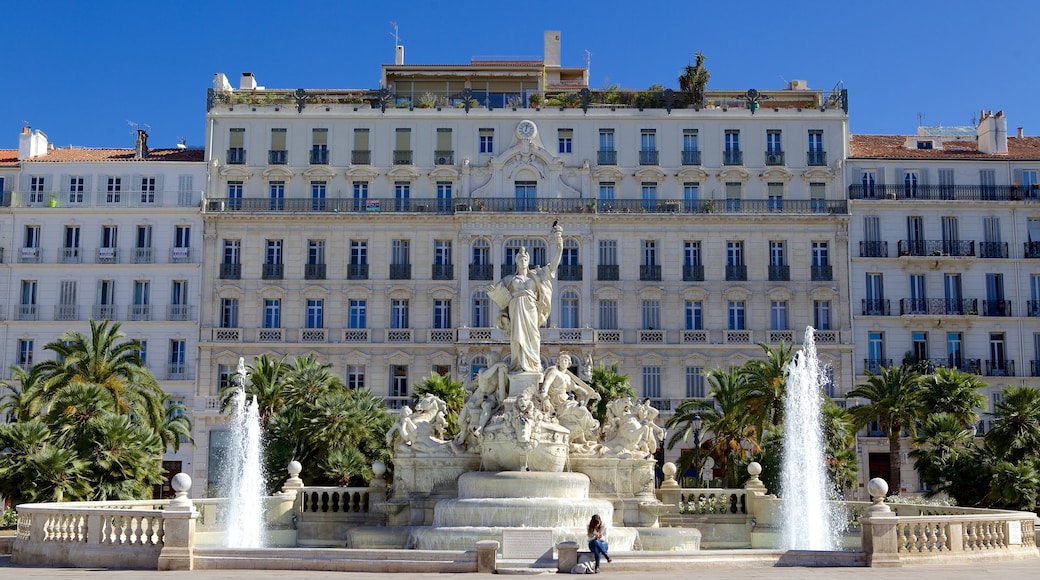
(811, 522)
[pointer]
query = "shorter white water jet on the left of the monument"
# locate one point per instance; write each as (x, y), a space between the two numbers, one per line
(244, 482)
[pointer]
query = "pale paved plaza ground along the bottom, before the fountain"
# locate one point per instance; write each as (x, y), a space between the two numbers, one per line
(1004, 571)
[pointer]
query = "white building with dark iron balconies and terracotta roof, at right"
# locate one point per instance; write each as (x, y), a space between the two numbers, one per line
(945, 239)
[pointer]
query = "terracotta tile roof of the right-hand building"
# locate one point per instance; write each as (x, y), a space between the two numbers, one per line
(892, 147)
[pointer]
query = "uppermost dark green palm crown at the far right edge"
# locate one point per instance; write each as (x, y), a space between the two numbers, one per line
(1016, 435)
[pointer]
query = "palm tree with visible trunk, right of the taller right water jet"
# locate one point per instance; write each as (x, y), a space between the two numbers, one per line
(896, 402)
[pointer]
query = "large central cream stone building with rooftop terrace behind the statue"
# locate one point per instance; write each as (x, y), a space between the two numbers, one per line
(365, 226)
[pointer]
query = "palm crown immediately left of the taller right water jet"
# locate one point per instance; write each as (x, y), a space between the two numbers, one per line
(766, 384)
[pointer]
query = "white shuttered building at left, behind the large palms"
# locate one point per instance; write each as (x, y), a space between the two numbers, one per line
(107, 234)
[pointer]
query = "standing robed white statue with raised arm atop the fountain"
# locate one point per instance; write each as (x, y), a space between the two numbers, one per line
(525, 299)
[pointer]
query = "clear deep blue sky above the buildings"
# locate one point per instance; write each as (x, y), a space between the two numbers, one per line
(82, 70)
